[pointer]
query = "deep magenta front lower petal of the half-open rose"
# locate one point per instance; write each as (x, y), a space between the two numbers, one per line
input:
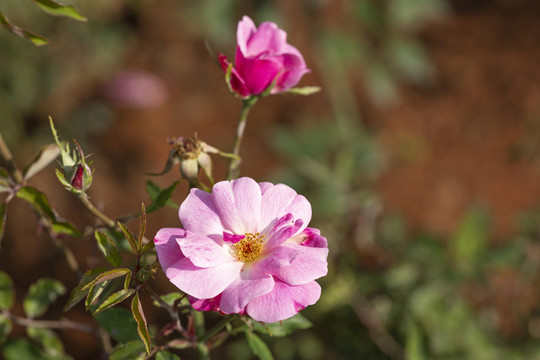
(257, 74)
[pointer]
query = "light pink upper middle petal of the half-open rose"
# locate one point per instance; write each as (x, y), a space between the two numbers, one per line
(267, 39)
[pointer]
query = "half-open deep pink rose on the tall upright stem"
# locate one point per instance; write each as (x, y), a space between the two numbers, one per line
(262, 56)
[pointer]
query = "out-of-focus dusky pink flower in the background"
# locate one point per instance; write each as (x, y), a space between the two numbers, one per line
(137, 89)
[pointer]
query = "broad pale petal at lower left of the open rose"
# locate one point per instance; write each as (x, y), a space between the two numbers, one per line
(202, 283)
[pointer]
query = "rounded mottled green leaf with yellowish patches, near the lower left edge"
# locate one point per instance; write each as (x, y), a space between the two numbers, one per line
(40, 295)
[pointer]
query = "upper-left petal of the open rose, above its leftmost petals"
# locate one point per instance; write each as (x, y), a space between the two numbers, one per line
(198, 213)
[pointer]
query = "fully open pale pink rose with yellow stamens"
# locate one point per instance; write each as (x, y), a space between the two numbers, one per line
(245, 249)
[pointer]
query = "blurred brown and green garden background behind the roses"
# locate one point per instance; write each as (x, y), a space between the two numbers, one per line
(420, 156)
